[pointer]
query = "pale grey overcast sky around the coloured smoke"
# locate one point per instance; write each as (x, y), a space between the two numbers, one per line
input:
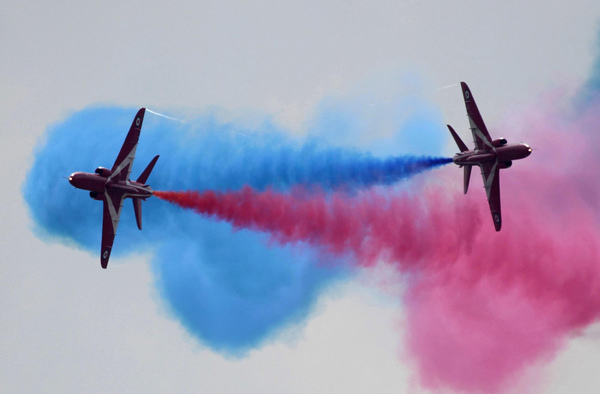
(68, 326)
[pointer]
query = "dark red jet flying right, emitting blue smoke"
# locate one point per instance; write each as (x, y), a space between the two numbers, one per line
(490, 155)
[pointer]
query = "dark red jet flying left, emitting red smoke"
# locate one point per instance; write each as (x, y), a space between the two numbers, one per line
(113, 186)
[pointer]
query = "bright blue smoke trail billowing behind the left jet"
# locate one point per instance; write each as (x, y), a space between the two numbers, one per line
(232, 290)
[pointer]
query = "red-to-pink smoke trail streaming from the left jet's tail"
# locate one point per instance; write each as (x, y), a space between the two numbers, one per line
(481, 306)
